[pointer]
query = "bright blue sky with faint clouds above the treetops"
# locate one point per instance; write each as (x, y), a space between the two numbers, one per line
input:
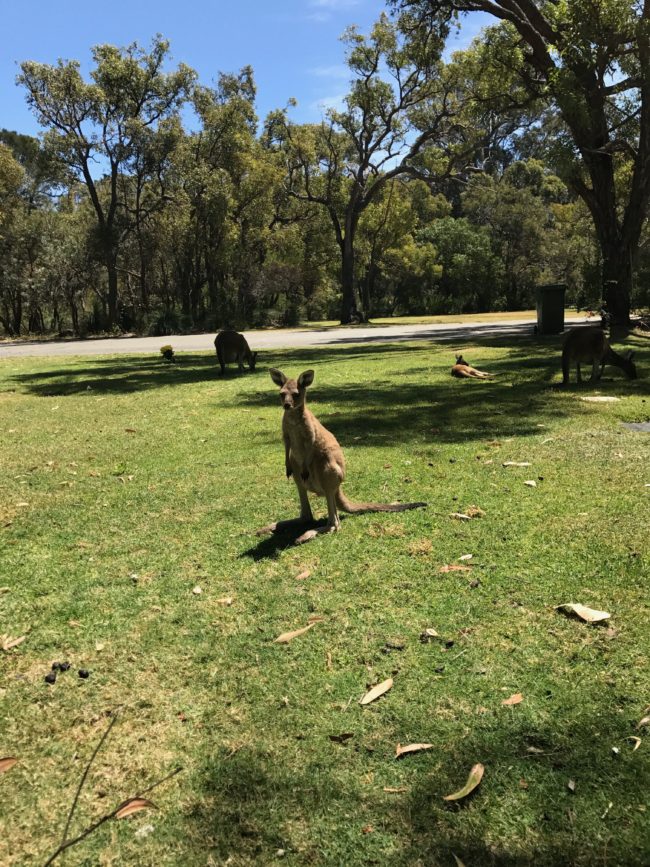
(292, 45)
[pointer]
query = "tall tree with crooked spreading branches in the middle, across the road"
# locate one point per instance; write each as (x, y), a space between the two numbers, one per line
(396, 121)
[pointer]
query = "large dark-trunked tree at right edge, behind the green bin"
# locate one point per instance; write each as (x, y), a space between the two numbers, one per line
(591, 62)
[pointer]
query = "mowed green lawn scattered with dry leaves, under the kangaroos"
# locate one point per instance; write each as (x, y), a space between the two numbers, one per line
(127, 483)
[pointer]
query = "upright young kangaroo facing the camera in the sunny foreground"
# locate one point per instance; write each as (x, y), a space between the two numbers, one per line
(314, 458)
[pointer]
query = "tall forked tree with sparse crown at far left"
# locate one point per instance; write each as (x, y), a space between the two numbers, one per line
(104, 123)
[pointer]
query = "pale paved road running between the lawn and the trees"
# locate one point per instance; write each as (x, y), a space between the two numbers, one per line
(281, 338)
